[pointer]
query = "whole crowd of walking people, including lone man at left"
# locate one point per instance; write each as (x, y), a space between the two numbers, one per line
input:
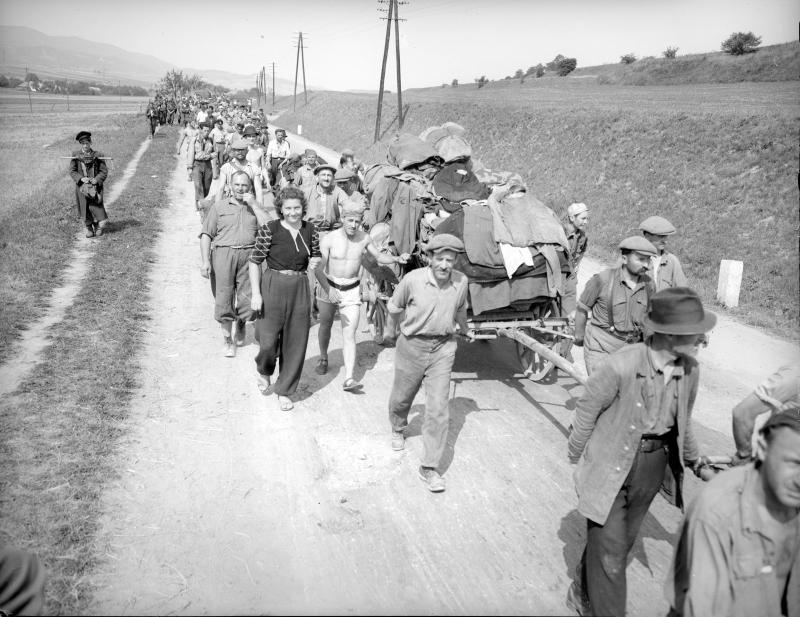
(283, 238)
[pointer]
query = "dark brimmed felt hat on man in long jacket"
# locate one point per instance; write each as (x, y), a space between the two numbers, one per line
(678, 310)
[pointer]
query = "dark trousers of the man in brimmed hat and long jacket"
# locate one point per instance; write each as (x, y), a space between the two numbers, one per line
(605, 558)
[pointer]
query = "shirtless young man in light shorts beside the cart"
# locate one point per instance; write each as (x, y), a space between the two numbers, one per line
(338, 276)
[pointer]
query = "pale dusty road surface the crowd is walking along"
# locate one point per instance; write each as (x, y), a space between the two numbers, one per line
(227, 505)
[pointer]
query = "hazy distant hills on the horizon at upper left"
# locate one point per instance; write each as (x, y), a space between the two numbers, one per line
(70, 57)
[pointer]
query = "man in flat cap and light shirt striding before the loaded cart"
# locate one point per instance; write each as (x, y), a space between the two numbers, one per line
(433, 301)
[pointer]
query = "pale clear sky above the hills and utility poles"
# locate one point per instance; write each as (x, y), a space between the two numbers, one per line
(440, 40)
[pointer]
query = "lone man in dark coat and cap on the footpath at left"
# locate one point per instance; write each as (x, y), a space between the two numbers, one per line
(89, 171)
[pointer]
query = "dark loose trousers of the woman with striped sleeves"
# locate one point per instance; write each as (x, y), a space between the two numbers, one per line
(282, 330)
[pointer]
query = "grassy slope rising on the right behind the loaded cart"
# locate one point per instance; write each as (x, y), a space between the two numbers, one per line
(719, 161)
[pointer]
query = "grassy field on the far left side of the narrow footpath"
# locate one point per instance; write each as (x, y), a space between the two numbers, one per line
(38, 219)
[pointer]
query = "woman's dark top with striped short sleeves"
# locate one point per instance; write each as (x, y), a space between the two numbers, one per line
(283, 250)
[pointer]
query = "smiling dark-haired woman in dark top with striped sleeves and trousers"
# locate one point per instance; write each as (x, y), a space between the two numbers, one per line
(278, 279)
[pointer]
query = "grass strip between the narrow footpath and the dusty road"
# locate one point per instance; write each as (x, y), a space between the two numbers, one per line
(61, 428)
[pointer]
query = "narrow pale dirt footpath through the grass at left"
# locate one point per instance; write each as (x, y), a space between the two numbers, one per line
(28, 350)
